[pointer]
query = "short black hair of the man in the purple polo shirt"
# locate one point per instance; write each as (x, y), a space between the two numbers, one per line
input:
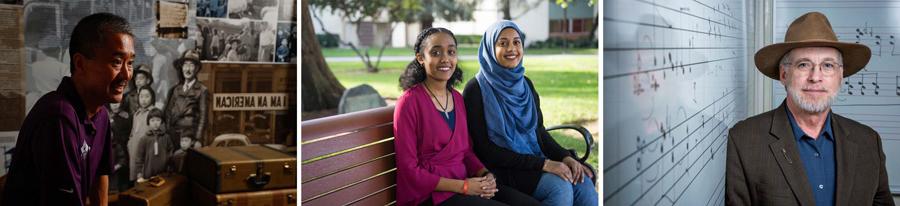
(90, 33)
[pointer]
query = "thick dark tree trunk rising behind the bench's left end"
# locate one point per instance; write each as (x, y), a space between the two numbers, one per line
(320, 89)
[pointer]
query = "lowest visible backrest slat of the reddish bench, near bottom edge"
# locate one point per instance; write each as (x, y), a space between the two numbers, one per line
(354, 192)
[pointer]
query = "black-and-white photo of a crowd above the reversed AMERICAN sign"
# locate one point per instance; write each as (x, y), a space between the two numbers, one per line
(228, 40)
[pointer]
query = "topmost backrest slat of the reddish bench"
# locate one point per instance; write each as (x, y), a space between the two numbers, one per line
(327, 126)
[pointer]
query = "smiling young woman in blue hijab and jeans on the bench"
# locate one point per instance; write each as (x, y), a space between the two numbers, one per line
(506, 126)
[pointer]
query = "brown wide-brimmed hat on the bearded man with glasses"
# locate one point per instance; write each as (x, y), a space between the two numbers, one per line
(811, 30)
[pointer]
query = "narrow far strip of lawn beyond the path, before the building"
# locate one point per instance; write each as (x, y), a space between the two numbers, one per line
(345, 52)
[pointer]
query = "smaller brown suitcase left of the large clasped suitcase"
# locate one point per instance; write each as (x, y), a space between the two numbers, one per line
(165, 189)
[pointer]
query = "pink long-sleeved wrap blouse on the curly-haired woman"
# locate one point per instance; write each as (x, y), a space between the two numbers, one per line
(427, 149)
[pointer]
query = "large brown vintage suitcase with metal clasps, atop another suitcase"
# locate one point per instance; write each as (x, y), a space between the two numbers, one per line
(242, 168)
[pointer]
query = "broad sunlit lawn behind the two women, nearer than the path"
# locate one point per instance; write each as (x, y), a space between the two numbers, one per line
(567, 85)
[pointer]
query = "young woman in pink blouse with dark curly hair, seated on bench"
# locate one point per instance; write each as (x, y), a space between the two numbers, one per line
(435, 162)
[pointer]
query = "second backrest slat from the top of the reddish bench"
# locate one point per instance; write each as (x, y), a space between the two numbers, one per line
(340, 143)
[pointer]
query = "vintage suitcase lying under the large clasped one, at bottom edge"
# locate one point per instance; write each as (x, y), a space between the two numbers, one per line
(276, 197)
